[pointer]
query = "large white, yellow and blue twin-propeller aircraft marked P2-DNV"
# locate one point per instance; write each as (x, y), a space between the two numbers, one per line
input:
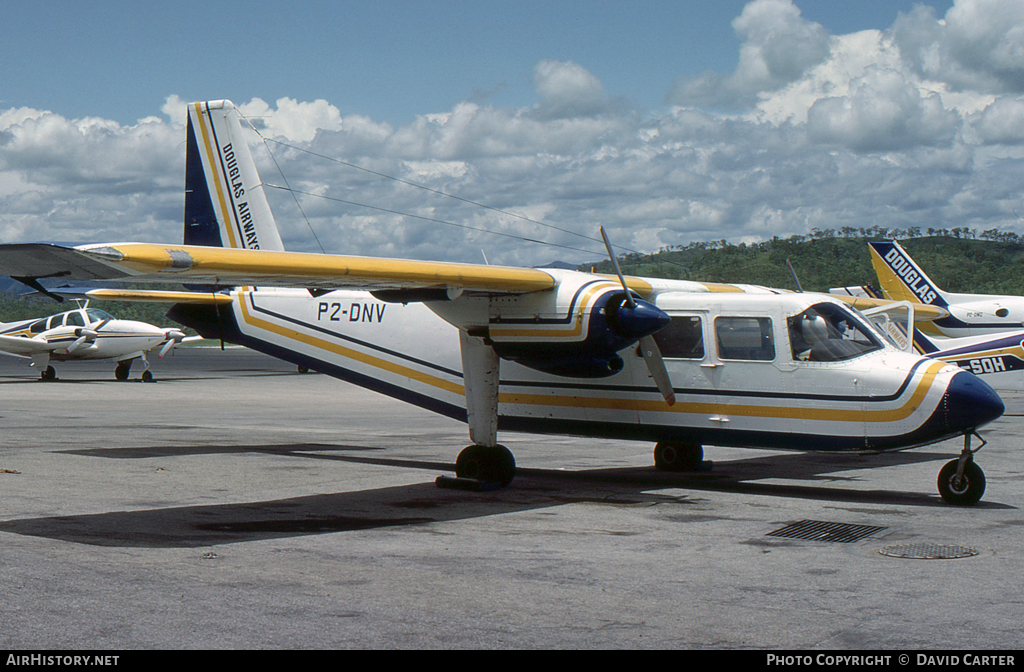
(679, 364)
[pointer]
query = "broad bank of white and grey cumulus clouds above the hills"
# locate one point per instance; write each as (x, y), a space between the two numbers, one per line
(918, 124)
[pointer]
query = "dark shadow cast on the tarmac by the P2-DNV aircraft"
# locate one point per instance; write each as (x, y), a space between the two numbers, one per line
(426, 503)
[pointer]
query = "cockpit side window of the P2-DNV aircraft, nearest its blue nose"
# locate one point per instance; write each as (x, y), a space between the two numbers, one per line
(828, 332)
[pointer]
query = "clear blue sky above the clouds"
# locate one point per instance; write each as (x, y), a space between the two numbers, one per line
(391, 60)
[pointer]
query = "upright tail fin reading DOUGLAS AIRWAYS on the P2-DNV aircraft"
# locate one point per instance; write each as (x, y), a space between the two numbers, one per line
(226, 204)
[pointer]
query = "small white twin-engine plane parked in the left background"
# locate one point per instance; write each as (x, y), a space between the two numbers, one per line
(87, 334)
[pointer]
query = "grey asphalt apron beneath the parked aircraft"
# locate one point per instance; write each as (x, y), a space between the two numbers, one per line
(237, 503)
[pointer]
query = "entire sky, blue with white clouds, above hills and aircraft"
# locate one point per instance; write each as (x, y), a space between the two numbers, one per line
(665, 122)
